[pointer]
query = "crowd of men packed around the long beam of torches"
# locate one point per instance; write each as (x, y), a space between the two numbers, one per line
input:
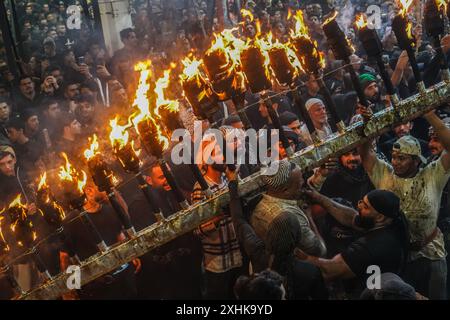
(309, 235)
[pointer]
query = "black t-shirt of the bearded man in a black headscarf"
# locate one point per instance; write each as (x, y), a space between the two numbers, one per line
(381, 247)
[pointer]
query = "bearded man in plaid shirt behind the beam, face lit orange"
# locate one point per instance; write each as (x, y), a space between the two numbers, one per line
(222, 257)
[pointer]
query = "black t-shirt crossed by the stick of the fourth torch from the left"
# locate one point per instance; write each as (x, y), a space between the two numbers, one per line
(106, 222)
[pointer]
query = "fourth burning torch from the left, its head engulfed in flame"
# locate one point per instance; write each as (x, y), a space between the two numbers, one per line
(73, 183)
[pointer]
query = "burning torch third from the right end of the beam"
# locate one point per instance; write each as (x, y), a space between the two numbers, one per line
(373, 47)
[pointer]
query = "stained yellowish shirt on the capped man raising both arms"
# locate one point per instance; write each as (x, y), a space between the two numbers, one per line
(420, 198)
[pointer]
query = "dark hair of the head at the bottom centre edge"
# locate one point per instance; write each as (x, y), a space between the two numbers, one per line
(260, 286)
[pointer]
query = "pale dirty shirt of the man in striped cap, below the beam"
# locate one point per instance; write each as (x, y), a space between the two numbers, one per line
(265, 221)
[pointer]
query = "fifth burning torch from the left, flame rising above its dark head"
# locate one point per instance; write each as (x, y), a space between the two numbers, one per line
(103, 178)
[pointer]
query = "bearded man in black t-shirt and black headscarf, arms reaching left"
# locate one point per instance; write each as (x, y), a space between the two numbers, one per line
(384, 243)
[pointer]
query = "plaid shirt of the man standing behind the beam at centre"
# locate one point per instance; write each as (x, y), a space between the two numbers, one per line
(220, 246)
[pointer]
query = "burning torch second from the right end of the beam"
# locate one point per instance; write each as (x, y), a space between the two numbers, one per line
(402, 28)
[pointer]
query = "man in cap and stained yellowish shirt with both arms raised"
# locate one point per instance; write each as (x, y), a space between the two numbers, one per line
(419, 189)
